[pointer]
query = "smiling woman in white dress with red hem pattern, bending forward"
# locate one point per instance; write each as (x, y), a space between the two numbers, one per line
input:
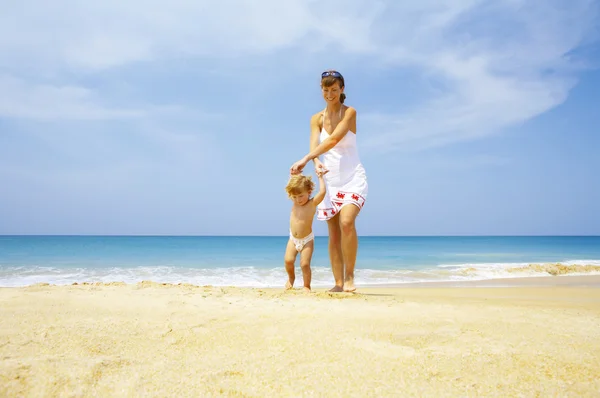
(333, 135)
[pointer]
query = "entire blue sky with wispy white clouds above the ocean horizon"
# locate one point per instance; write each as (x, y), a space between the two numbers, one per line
(475, 117)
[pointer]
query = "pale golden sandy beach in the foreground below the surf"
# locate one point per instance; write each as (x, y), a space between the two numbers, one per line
(539, 337)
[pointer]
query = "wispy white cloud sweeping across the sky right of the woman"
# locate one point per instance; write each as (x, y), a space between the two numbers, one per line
(495, 63)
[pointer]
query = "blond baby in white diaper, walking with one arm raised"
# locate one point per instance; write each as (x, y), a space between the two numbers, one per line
(299, 189)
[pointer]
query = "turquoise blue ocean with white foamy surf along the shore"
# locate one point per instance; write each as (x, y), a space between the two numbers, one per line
(248, 261)
